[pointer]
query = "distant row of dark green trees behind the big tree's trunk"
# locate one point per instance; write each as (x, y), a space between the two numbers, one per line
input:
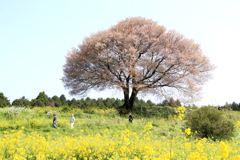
(43, 100)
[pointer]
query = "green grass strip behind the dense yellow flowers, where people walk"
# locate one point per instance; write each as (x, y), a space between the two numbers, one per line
(91, 121)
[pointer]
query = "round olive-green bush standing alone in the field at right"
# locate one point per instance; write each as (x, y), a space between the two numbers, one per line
(208, 122)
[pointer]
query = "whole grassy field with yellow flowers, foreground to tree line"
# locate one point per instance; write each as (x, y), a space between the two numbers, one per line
(104, 134)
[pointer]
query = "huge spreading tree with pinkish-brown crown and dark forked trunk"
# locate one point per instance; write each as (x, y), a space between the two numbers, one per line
(137, 55)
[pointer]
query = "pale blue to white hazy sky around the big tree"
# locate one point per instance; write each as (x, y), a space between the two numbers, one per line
(35, 37)
